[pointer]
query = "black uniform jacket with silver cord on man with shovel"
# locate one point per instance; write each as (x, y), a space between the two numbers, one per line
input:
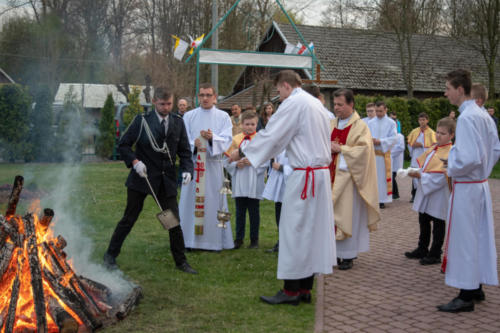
(161, 170)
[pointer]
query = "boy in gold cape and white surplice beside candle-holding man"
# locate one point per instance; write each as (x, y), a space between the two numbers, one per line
(247, 183)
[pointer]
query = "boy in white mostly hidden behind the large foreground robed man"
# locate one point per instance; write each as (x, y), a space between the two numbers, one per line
(275, 187)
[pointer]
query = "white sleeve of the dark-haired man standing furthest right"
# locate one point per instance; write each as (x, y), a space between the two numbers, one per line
(467, 153)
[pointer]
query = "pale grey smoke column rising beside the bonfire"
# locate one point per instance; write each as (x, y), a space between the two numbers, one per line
(65, 199)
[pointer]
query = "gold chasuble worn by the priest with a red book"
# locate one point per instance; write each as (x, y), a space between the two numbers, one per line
(359, 154)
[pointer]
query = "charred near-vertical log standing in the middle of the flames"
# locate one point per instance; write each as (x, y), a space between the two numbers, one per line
(36, 274)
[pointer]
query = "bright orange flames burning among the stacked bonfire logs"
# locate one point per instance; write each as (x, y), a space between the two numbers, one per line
(19, 267)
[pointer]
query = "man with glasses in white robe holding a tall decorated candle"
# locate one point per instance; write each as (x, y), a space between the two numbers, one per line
(215, 127)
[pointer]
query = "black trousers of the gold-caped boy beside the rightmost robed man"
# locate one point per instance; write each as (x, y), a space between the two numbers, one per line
(438, 233)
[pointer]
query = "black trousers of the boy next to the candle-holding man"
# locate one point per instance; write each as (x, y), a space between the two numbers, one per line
(252, 205)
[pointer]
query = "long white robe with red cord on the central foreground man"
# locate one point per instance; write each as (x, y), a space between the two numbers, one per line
(306, 230)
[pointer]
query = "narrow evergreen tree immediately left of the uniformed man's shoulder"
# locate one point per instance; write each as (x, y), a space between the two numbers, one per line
(106, 136)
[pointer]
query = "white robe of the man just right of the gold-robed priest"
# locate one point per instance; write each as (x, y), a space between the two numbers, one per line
(383, 129)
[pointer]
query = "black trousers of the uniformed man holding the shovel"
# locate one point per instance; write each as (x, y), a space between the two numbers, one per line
(135, 202)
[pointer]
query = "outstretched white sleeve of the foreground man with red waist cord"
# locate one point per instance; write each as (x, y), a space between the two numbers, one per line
(273, 139)
